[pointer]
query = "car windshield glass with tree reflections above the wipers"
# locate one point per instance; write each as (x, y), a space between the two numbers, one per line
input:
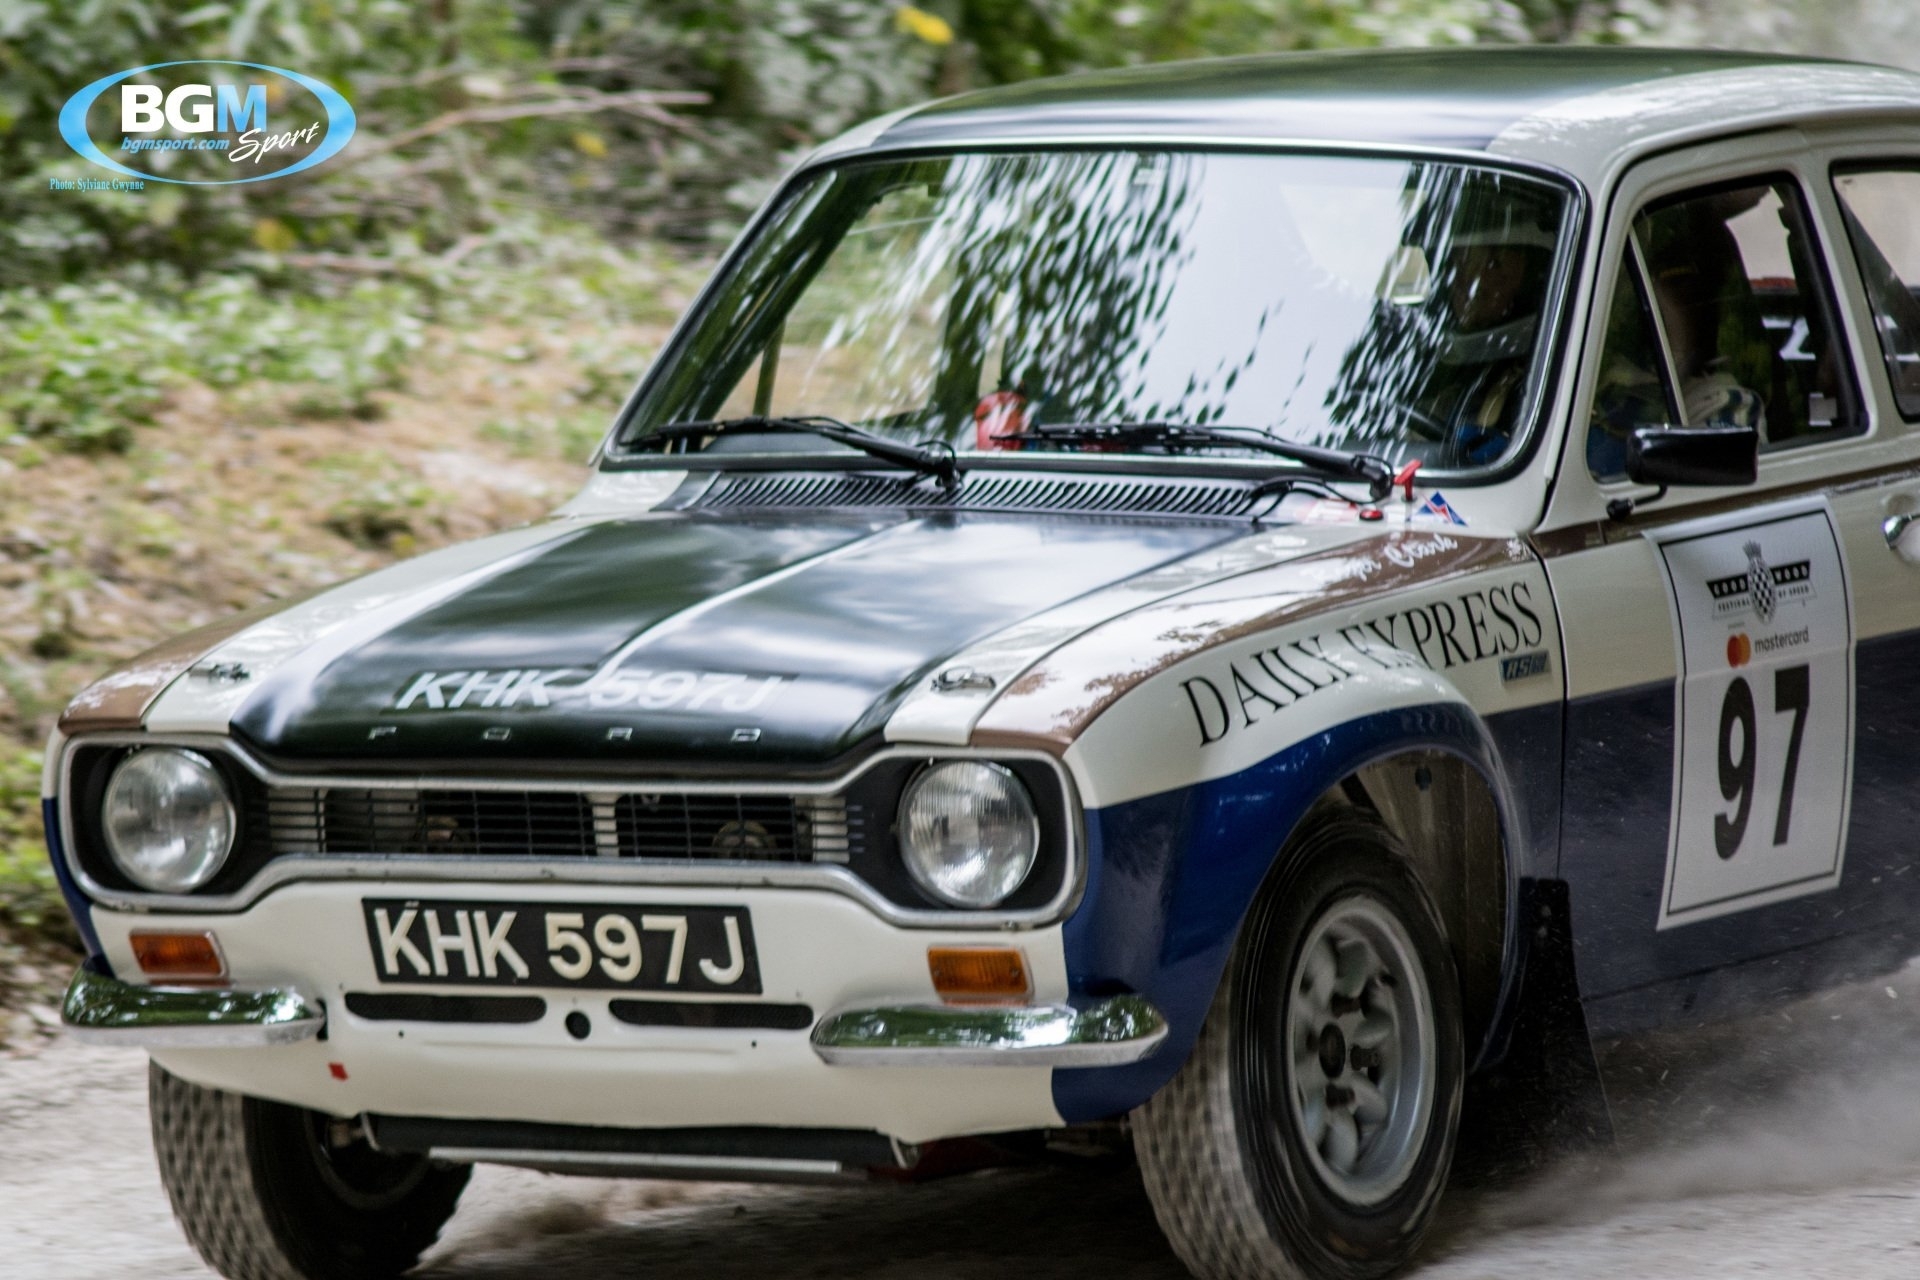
(1374, 304)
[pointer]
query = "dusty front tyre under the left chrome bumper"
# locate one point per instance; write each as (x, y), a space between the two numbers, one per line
(276, 1193)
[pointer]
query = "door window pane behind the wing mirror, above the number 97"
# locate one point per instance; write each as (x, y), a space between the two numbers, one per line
(1746, 314)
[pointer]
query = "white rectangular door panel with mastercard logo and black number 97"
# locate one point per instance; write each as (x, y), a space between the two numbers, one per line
(1764, 709)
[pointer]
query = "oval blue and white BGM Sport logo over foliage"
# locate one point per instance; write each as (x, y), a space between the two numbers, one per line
(208, 122)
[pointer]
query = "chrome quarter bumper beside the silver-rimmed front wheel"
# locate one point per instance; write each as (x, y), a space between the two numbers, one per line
(1113, 1033)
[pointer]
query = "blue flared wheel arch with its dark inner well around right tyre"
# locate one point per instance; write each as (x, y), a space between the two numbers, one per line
(1174, 876)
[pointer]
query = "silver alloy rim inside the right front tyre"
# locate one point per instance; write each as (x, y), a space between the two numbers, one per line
(1360, 1051)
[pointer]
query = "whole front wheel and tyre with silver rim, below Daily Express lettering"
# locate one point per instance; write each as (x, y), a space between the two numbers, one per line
(1312, 1129)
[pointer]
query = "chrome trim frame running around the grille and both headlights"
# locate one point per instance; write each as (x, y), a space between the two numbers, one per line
(504, 870)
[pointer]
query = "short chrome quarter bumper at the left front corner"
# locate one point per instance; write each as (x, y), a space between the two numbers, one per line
(110, 1012)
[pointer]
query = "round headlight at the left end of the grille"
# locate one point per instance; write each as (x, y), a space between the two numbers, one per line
(168, 820)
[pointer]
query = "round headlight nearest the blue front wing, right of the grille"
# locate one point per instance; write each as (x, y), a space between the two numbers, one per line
(969, 834)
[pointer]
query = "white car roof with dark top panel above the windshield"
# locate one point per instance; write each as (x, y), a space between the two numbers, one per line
(1579, 108)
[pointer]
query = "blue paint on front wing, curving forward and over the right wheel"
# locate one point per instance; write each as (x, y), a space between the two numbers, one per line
(1172, 876)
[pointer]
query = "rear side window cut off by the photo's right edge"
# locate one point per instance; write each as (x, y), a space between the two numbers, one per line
(1884, 222)
